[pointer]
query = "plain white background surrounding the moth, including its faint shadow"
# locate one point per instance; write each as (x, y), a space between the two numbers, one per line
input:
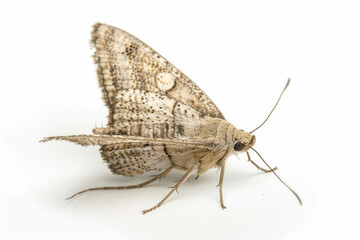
(240, 53)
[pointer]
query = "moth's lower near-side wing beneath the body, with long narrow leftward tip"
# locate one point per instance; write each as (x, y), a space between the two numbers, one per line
(131, 155)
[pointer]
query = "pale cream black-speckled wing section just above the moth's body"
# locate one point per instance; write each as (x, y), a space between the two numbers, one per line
(149, 114)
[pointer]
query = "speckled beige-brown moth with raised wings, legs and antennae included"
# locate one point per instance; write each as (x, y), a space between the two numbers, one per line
(159, 120)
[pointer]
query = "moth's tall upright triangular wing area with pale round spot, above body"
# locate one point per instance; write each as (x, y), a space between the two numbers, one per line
(140, 87)
